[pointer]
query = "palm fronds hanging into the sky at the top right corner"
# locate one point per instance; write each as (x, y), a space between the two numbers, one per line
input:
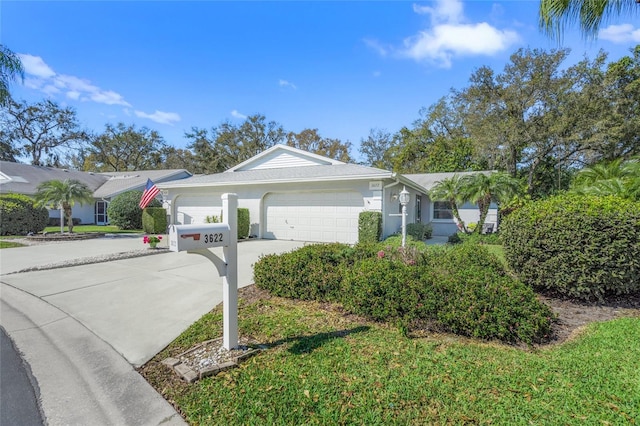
(555, 14)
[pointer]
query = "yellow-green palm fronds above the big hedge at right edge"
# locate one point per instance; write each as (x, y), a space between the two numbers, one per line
(618, 177)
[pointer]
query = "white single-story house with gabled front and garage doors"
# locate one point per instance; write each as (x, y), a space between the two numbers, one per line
(296, 195)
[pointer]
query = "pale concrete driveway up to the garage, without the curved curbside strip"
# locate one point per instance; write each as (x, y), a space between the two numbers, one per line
(137, 305)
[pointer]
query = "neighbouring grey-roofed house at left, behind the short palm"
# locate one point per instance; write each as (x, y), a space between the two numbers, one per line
(24, 179)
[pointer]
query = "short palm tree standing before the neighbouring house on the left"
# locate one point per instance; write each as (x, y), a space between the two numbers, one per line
(63, 195)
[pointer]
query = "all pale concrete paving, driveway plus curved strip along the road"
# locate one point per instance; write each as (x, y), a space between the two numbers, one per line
(82, 328)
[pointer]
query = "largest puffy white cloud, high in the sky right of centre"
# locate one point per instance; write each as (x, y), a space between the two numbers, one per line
(450, 35)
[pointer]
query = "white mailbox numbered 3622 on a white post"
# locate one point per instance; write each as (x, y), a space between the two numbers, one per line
(193, 237)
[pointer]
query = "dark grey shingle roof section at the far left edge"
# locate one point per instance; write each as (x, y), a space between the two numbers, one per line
(25, 178)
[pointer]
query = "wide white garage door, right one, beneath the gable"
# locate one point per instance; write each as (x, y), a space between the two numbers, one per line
(313, 216)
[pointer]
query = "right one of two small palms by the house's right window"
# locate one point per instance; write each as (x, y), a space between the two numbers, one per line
(483, 189)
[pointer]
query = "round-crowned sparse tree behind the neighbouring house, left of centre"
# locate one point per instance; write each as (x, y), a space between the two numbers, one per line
(122, 148)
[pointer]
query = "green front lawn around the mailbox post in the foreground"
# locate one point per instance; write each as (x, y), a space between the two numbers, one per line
(323, 367)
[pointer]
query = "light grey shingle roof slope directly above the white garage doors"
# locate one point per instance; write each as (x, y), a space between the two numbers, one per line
(289, 174)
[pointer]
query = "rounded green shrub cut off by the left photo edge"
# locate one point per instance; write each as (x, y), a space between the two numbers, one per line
(19, 215)
